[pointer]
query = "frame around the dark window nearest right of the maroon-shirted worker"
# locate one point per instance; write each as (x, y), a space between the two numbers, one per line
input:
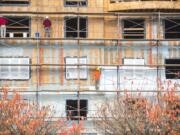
(65, 26)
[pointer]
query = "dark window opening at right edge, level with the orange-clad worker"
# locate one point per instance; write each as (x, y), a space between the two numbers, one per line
(172, 70)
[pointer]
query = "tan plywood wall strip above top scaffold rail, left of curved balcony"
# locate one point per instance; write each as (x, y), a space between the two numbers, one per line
(56, 6)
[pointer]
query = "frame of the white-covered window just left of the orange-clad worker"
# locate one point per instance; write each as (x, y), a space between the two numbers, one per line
(86, 68)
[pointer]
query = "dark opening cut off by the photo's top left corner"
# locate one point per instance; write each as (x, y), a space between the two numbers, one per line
(14, 2)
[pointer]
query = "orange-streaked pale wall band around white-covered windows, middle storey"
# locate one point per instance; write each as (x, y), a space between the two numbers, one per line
(53, 77)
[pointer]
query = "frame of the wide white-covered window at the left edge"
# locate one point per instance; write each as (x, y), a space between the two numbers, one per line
(9, 68)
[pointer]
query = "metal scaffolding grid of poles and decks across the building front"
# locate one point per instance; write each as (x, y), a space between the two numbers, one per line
(156, 43)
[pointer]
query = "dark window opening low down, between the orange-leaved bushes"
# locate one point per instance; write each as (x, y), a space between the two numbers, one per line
(72, 109)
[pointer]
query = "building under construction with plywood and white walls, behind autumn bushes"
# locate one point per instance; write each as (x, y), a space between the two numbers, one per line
(134, 43)
